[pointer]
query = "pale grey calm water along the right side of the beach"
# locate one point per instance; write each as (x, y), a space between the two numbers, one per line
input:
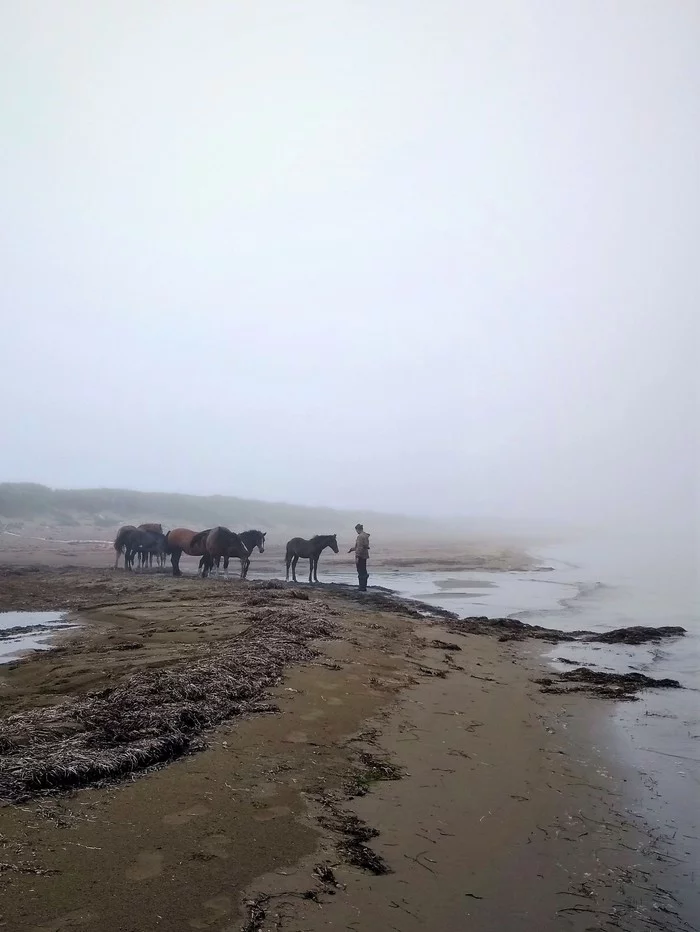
(599, 583)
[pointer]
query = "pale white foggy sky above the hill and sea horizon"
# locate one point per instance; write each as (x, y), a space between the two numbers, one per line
(430, 258)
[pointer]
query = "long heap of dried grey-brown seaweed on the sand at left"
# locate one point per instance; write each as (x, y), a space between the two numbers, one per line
(151, 716)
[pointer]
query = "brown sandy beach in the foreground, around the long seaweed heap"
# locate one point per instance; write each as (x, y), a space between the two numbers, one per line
(503, 816)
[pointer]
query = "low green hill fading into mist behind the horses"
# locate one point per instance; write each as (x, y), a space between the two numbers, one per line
(23, 503)
